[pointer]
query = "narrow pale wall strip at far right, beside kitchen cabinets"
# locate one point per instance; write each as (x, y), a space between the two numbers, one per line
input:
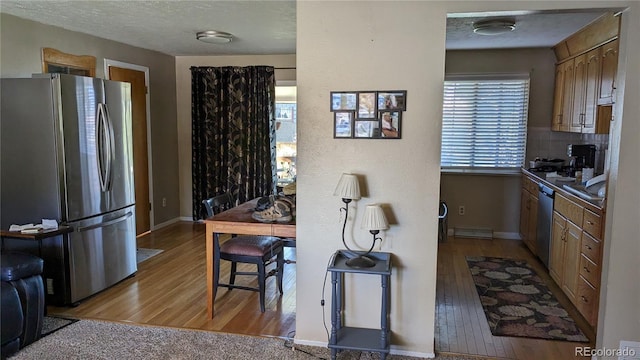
(620, 300)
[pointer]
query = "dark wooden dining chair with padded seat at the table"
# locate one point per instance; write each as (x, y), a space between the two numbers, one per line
(259, 250)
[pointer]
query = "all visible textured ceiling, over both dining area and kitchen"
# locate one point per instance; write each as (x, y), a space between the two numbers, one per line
(259, 27)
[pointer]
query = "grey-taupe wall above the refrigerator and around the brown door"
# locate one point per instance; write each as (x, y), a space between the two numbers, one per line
(21, 56)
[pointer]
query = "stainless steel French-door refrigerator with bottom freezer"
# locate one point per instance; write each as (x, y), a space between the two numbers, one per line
(67, 155)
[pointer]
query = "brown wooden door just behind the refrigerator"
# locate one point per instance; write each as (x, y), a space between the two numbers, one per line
(138, 77)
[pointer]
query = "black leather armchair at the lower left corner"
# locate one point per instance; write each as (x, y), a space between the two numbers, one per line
(22, 301)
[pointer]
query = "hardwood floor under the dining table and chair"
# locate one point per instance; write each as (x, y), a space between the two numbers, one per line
(170, 289)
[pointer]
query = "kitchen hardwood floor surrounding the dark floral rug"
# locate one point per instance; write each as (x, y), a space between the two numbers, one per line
(461, 325)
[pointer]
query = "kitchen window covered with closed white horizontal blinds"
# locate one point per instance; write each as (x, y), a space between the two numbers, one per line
(484, 123)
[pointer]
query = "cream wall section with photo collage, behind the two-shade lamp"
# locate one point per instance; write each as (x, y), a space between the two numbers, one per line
(343, 46)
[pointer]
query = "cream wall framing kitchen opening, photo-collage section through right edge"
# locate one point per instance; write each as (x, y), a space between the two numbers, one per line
(400, 45)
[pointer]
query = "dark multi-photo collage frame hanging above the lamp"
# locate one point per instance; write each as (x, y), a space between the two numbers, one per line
(368, 114)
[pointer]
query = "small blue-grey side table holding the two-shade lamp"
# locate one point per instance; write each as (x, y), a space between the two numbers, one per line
(352, 338)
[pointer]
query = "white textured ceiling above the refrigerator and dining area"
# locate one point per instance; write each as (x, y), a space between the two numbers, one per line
(170, 27)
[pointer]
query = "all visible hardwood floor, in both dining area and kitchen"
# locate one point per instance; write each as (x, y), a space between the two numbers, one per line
(170, 289)
